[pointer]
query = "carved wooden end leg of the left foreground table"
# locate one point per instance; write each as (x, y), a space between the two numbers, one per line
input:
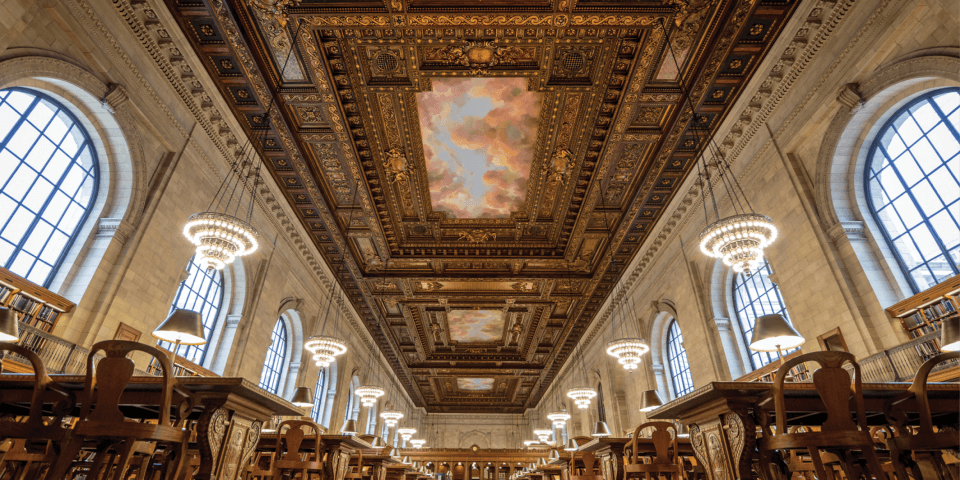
(226, 440)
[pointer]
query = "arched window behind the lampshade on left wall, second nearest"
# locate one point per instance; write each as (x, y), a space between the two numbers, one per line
(202, 292)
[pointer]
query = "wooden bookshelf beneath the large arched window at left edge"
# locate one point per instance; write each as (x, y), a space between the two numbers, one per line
(33, 304)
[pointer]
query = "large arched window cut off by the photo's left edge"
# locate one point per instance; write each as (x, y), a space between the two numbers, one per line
(48, 181)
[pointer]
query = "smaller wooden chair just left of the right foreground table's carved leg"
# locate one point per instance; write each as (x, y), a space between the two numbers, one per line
(666, 459)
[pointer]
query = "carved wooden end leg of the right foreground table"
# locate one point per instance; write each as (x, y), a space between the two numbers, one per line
(725, 445)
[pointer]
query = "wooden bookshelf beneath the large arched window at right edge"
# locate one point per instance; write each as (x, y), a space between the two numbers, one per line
(922, 313)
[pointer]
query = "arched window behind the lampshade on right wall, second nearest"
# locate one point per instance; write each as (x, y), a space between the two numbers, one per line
(754, 296)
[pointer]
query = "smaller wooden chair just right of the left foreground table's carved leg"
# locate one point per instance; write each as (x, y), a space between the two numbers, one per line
(290, 456)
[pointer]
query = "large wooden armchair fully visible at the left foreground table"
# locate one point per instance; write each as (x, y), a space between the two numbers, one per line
(104, 426)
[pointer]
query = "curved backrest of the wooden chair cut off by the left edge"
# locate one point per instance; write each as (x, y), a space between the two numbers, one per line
(41, 385)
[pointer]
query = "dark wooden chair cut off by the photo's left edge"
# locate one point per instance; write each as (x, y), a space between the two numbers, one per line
(36, 438)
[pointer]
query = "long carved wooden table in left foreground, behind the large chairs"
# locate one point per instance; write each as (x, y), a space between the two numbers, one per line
(229, 413)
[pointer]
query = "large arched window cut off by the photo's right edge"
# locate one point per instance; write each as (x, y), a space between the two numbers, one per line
(913, 188)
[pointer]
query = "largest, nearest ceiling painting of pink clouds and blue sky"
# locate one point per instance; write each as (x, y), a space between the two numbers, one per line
(478, 139)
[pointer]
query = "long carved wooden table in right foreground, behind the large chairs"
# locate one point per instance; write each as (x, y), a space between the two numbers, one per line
(722, 421)
